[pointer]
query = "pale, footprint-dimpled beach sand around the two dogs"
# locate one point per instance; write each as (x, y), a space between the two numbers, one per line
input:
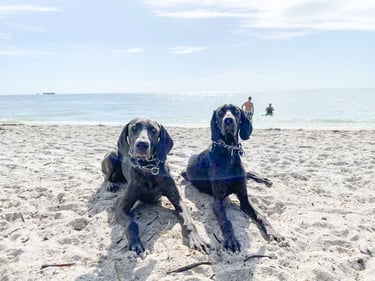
(54, 210)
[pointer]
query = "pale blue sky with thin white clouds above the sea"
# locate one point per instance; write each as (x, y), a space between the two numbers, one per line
(92, 46)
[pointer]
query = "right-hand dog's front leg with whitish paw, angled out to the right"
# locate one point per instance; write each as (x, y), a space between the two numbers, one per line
(263, 224)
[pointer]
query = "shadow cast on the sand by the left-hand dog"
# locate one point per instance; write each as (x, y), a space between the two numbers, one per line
(118, 263)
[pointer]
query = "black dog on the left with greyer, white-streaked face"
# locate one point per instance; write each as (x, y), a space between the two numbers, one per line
(140, 162)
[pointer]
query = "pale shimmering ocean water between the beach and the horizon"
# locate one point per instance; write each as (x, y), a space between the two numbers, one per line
(305, 109)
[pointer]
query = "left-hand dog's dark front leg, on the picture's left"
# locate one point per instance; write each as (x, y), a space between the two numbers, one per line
(125, 217)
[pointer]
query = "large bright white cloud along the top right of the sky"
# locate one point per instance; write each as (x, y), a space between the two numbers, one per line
(275, 19)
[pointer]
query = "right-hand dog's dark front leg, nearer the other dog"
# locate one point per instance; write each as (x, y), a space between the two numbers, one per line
(230, 241)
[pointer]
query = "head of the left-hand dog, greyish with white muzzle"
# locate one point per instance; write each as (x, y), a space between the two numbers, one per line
(144, 139)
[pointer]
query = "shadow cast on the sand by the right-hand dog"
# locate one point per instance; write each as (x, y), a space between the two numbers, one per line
(226, 265)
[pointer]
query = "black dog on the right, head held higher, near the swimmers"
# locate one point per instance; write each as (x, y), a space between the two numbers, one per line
(218, 171)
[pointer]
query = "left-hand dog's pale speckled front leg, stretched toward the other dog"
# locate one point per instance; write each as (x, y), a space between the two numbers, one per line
(188, 227)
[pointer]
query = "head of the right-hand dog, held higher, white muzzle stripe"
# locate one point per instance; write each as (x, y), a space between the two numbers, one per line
(227, 122)
